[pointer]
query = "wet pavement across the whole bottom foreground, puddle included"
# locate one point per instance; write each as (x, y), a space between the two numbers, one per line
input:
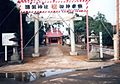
(107, 75)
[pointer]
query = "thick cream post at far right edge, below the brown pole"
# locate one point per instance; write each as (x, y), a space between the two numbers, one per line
(116, 48)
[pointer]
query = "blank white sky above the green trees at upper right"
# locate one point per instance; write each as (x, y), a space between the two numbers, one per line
(106, 7)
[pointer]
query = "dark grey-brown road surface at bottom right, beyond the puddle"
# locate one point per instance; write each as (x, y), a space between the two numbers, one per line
(108, 75)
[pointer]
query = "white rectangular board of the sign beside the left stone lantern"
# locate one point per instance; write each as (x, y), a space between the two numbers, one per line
(6, 39)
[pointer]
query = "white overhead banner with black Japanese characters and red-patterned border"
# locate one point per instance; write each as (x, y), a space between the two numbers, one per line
(48, 6)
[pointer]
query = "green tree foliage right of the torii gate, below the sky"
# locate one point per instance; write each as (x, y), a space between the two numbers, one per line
(98, 24)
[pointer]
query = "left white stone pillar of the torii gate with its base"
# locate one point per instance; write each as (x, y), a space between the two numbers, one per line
(36, 41)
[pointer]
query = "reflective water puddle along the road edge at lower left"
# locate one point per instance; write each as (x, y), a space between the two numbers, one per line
(32, 76)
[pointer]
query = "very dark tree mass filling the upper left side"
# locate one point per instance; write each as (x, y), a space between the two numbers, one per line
(10, 22)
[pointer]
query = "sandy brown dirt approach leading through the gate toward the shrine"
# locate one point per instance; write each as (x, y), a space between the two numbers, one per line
(53, 57)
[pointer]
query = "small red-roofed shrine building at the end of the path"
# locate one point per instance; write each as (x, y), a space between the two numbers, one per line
(54, 36)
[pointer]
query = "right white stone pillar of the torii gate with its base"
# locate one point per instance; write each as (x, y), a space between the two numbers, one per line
(72, 38)
